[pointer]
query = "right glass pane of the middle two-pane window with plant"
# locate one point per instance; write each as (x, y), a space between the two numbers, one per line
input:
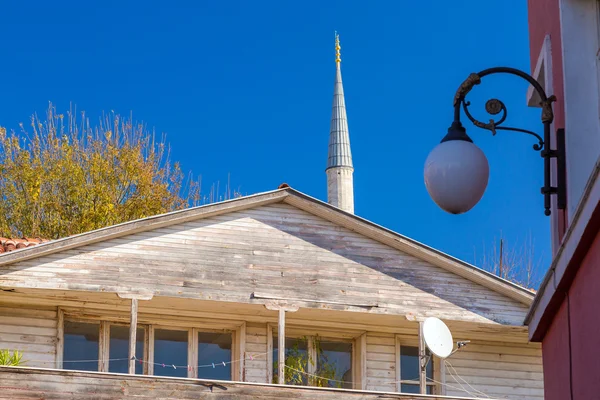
(335, 363)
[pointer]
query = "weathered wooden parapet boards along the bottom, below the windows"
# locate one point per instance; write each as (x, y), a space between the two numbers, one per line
(22, 383)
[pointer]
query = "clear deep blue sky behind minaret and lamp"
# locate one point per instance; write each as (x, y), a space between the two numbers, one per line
(245, 88)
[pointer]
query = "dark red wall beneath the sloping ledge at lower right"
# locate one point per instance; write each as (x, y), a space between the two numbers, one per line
(583, 309)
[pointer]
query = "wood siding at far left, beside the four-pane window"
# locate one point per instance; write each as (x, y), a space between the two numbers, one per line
(32, 331)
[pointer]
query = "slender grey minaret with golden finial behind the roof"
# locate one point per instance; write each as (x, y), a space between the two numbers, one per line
(340, 187)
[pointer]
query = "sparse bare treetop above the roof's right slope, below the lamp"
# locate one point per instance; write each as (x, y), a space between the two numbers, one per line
(517, 264)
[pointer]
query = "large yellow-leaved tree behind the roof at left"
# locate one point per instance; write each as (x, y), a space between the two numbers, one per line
(64, 176)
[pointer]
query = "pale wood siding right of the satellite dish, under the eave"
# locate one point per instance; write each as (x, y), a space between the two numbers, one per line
(510, 371)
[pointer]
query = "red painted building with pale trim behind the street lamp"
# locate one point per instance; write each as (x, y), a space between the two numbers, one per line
(565, 317)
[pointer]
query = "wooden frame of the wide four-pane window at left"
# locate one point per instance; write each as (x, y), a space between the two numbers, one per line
(193, 326)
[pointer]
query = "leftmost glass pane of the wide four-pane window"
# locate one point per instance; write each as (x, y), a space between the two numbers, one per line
(81, 343)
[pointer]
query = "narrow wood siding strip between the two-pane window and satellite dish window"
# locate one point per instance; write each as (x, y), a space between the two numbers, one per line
(381, 362)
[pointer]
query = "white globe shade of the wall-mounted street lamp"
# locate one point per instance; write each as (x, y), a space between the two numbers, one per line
(456, 175)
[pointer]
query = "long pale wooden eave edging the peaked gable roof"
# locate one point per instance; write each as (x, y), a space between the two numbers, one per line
(296, 199)
